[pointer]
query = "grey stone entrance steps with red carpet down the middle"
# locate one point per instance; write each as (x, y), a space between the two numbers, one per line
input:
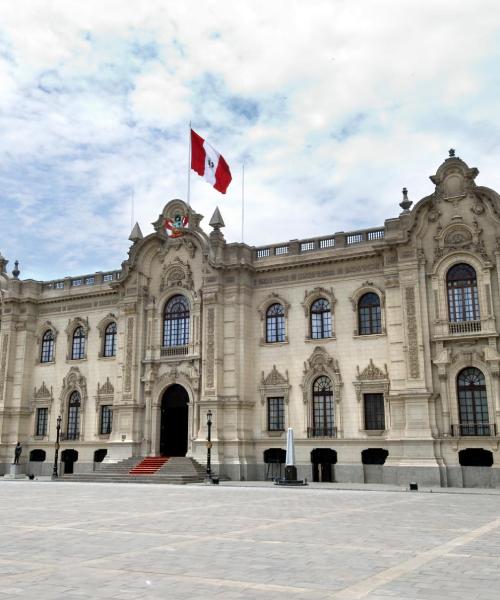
(150, 469)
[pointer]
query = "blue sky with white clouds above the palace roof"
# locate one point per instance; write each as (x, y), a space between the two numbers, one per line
(332, 105)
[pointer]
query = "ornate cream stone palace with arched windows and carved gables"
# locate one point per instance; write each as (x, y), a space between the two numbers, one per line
(379, 347)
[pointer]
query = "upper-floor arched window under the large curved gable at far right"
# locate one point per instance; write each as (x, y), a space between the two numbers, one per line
(463, 300)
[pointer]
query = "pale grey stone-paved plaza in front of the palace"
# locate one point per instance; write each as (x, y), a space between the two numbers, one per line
(73, 541)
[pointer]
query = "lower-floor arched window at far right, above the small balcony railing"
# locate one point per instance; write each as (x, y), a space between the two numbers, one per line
(472, 403)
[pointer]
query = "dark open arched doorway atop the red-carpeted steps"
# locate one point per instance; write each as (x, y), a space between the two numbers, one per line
(174, 421)
